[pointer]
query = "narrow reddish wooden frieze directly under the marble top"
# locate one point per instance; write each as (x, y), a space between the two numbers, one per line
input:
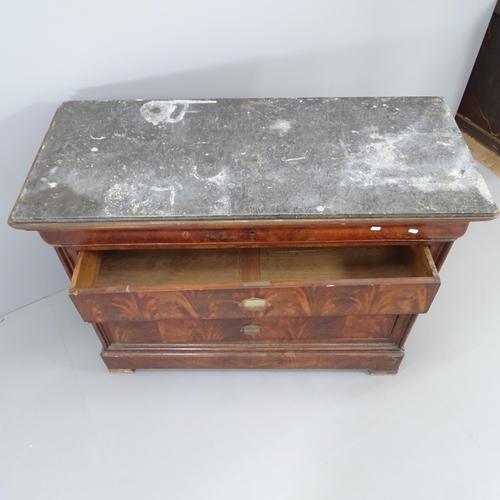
(262, 234)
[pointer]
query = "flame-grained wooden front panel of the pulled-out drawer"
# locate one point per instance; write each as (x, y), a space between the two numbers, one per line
(337, 300)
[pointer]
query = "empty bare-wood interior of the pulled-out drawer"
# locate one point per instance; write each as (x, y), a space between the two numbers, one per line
(211, 266)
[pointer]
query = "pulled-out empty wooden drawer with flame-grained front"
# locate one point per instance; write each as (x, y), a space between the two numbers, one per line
(152, 285)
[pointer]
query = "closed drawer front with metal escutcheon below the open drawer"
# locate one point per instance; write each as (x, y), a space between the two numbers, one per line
(189, 331)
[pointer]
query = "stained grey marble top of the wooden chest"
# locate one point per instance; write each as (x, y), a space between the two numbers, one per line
(324, 158)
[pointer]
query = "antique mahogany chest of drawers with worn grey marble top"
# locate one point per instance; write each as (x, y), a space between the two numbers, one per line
(273, 233)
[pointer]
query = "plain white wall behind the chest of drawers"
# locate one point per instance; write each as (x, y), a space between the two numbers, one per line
(55, 50)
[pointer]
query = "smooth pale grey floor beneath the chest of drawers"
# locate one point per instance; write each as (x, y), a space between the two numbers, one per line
(71, 430)
